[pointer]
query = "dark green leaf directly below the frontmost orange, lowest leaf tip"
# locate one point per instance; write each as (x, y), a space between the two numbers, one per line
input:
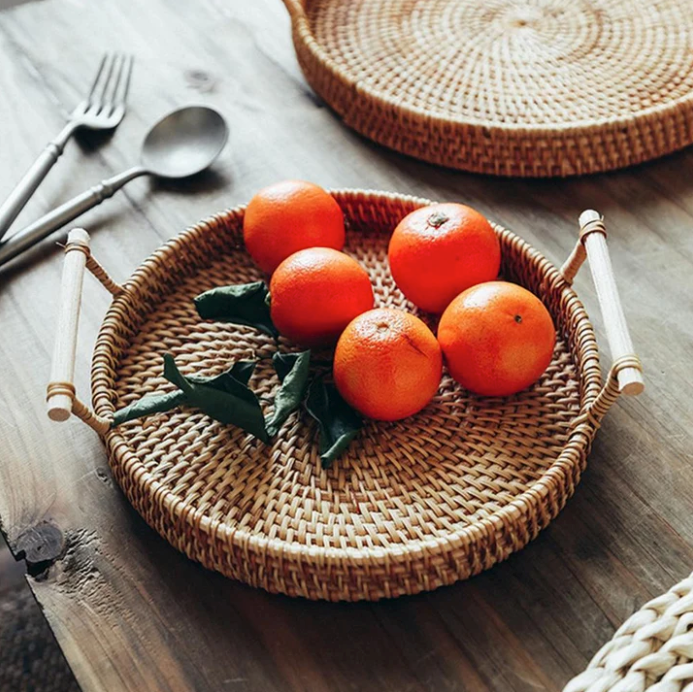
(338, 422)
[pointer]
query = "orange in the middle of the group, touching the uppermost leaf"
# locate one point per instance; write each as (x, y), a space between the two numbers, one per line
(315, 293)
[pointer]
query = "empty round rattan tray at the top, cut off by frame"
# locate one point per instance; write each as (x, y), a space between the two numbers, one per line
(532, 88)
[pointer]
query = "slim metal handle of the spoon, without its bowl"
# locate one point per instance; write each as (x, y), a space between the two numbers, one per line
(37, 231)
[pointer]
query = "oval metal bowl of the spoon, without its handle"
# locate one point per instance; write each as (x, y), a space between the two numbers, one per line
(184, 142)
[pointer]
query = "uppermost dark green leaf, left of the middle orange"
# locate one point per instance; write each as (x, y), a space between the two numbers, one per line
(241, 304)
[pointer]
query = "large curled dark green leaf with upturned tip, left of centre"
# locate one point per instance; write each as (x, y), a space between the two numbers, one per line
(223, 398)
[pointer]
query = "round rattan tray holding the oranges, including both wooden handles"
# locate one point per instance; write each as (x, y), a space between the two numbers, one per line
(411, 505)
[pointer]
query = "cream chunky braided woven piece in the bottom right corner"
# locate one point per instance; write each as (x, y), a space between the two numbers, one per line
(652, 650)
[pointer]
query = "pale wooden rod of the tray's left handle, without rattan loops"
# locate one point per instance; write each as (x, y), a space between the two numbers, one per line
(61, 392)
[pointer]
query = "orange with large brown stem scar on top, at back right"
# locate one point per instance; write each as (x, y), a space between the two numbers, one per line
(438, 251)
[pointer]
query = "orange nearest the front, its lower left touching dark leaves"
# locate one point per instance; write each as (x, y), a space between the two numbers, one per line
(387, 364)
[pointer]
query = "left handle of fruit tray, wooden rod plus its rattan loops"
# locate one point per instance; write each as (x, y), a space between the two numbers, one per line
(60, 396)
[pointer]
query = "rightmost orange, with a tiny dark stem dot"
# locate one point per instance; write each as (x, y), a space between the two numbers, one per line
(497, 338)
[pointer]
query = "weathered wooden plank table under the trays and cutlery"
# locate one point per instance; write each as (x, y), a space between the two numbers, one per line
(133, 614)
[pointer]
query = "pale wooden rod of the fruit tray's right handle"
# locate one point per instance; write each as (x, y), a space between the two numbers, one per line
(593, 237)
